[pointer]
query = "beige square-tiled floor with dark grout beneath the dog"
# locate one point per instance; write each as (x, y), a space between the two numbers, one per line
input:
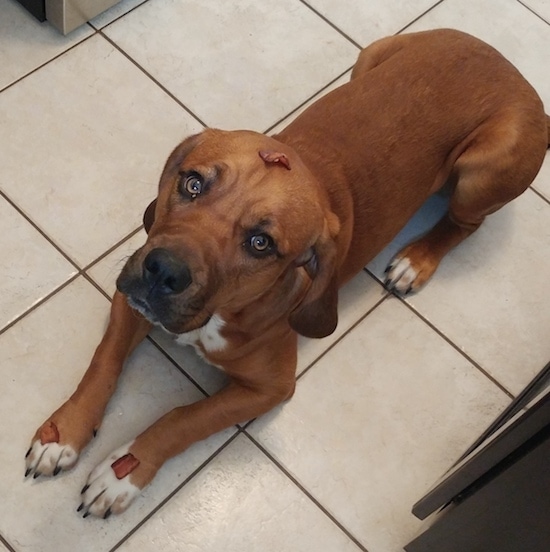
(383, 407)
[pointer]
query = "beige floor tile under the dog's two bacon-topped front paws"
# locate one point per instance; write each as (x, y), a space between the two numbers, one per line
(45, 356)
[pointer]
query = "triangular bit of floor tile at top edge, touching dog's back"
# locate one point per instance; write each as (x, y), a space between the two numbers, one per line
(366, 22)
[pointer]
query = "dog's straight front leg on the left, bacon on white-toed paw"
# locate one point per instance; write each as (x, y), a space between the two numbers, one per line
(58, 442)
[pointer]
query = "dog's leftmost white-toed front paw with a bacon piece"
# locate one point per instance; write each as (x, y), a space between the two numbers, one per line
(47, 455)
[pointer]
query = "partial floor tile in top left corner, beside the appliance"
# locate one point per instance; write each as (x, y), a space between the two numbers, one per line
(25, 43)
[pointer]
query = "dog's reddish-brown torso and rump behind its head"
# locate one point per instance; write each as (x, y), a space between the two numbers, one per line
(416, 104)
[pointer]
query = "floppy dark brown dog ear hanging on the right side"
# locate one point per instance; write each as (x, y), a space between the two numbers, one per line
(317, 314)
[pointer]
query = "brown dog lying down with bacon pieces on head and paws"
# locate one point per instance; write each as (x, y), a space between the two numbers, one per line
(250, 237)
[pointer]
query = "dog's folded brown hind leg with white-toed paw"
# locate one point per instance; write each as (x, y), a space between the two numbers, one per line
(500, 160)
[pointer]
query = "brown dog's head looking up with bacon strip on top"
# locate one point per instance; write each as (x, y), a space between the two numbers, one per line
(239, 221)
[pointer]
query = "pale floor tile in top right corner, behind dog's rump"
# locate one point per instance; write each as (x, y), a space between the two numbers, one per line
(508, 26)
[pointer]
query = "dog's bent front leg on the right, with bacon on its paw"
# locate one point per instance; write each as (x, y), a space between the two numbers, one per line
(114, 483)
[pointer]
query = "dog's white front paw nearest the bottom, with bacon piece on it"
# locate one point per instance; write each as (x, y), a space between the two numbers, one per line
(113, 484)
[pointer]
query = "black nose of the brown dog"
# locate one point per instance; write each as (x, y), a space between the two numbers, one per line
(165, 273)
